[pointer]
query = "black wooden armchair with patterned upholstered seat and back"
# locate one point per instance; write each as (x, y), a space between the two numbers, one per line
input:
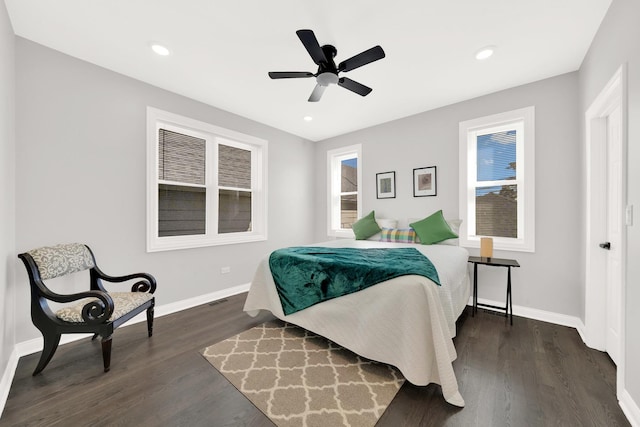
(95, 311)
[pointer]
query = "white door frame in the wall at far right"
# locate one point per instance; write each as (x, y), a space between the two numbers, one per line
(612, 95)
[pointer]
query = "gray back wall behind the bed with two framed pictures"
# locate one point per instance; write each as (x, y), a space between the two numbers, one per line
(549, 278)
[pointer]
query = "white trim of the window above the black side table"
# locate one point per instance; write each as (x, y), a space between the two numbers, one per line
(525, 178)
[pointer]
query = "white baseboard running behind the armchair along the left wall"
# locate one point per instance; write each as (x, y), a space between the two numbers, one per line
(35, 345)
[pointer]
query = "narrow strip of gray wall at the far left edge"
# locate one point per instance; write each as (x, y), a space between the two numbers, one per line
(7, 188)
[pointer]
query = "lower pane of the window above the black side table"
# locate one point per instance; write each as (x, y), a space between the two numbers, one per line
(497, 211)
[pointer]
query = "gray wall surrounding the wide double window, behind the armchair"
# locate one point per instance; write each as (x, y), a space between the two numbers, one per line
(80, 176)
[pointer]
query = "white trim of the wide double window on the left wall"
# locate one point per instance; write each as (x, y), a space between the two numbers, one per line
(213, 135)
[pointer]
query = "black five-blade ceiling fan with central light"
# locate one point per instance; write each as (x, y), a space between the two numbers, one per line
(327, 71)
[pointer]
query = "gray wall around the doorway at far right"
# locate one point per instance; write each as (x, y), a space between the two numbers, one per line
(618, 42)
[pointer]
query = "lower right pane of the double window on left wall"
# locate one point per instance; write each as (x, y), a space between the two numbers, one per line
(234, 211)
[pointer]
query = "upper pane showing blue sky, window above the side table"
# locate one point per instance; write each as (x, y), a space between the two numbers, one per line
(496, 156)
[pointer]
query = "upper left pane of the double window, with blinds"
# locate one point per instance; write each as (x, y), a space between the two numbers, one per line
(181, 157)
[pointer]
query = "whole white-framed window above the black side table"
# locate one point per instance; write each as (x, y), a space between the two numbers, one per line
(497, 180)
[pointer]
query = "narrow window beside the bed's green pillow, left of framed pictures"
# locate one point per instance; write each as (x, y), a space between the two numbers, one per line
(344, 173)
